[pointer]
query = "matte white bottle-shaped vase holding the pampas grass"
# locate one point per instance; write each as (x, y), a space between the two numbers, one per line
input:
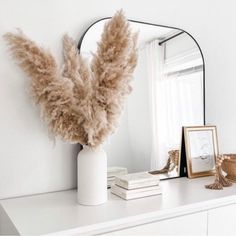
(92, 176)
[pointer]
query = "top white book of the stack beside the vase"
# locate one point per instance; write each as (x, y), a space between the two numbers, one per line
(137, 180)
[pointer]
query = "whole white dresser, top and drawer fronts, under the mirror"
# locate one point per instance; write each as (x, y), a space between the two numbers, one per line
(184, 208)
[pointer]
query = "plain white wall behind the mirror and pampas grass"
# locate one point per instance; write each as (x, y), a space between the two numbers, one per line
(28, 161)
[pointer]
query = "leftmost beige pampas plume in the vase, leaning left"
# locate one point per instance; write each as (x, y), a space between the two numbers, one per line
(49, 89)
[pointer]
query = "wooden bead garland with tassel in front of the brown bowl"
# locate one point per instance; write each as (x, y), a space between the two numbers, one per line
(220, 180)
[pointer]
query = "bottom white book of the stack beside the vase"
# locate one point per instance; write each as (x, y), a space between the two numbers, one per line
(135, 193)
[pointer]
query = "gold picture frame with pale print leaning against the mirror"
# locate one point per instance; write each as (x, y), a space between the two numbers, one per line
(201, 148)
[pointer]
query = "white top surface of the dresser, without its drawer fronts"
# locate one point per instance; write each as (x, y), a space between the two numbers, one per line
(59, 212)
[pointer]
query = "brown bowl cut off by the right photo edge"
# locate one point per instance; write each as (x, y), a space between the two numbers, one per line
(229, 167)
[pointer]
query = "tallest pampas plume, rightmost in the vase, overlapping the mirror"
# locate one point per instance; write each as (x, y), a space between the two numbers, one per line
(112, 65)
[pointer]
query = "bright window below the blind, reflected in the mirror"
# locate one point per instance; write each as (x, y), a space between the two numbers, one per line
(183, 103)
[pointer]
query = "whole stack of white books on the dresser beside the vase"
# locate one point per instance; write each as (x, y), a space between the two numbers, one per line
(136, 185)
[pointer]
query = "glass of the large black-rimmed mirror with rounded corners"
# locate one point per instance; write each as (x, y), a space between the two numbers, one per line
(168, 93)
